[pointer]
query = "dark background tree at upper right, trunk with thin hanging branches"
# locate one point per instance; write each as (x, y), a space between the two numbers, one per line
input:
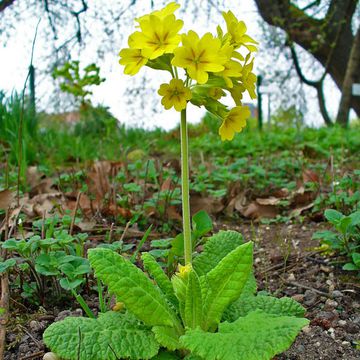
(329, 39)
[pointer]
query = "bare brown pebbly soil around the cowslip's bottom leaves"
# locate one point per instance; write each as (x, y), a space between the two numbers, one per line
(287, 263)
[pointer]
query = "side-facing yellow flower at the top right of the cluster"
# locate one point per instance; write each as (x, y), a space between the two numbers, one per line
(237, 30)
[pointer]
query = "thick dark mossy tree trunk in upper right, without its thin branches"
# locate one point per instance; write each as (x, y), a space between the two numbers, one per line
(317, 36)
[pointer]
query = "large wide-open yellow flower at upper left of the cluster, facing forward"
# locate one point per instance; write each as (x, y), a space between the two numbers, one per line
(158, 36)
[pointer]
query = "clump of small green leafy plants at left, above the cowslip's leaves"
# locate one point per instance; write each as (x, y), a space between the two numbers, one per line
(46, 263)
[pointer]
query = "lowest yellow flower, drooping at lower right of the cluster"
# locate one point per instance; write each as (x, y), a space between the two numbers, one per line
(234, 122)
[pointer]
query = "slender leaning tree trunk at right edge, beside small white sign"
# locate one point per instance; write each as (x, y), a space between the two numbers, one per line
(352, 74)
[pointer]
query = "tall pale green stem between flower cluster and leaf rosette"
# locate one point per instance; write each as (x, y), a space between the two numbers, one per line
(185, 188)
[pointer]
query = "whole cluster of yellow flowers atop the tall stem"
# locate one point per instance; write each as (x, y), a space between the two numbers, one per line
(213, 65)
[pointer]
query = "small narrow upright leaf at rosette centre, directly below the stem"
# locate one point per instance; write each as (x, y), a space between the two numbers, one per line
(193, 302)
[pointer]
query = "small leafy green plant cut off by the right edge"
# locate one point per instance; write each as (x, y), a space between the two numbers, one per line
(345, 240)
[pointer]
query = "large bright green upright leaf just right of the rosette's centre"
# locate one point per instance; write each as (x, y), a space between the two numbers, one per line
(223, 284)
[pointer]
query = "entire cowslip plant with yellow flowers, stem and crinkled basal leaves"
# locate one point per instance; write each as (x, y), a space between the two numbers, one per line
(209, 308)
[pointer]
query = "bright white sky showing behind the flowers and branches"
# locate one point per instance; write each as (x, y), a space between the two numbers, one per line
(15, 58)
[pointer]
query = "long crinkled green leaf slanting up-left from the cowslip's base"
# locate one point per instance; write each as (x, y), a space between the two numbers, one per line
(132, 287)
